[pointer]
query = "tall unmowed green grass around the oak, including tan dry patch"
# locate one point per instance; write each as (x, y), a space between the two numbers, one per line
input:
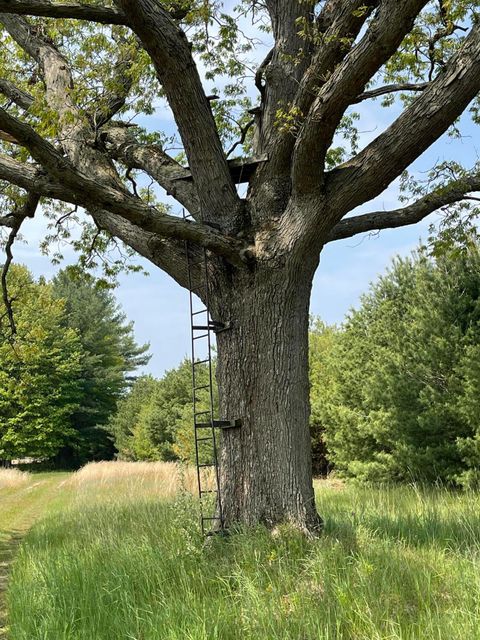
(124, 560)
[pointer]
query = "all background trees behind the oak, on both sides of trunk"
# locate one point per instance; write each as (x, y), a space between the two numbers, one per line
(394, 389)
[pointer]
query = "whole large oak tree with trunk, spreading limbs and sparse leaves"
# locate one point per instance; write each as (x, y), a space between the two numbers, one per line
(74, 72)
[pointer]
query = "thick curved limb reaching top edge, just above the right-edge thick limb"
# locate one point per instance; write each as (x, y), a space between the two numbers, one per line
(393, 22)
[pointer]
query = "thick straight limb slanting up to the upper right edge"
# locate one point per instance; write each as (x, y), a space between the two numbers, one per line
(370, 172)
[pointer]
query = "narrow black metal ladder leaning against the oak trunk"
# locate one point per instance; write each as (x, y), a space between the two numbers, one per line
(204, 422)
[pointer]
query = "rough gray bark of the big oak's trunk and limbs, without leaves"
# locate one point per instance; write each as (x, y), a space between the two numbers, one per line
(263, 249)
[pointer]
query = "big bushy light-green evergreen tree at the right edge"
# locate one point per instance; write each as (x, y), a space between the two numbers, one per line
(403, 394)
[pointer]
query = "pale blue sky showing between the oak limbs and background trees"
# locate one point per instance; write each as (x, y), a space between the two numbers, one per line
(159, 307)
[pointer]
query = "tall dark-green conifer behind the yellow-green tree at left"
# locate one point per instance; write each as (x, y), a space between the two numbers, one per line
(110, 356)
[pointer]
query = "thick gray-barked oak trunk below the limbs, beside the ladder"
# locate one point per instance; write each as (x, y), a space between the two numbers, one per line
(262, 371)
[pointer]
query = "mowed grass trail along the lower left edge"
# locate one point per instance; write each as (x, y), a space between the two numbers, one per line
(19, 509)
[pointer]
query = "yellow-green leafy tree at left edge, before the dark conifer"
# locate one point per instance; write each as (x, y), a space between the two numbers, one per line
(39, 373)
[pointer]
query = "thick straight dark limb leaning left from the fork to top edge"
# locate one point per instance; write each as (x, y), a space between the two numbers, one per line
(172, 58)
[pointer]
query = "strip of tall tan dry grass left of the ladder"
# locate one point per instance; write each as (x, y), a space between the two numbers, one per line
(162, 479)
